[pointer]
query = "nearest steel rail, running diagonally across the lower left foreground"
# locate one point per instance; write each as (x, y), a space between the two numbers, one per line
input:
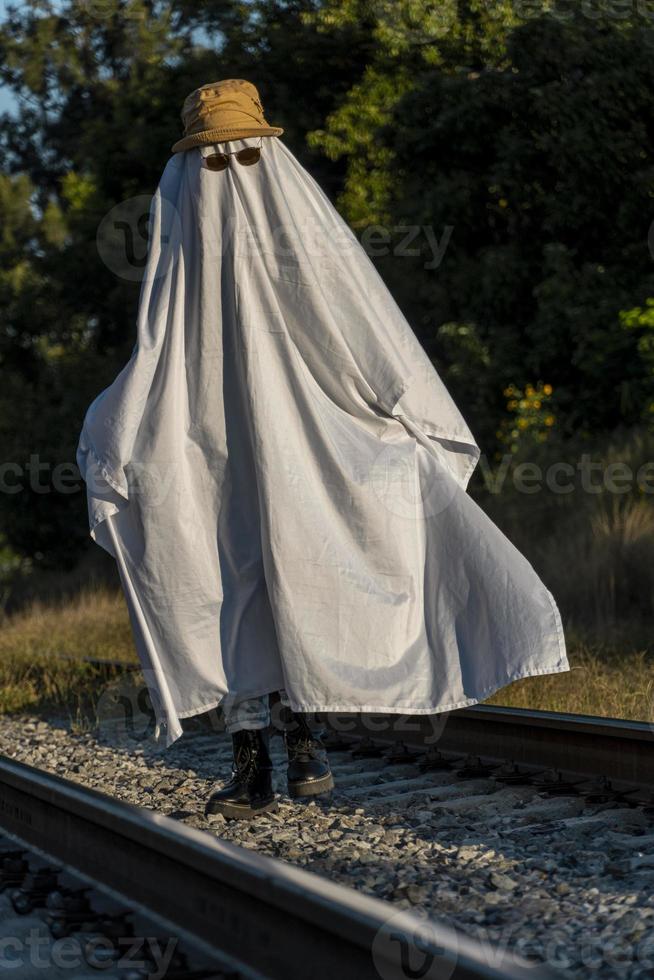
(272, 919)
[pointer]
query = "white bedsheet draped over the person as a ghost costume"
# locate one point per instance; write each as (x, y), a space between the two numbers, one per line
(281, 474)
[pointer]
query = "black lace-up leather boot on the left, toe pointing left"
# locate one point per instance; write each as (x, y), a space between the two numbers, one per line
(249, 791)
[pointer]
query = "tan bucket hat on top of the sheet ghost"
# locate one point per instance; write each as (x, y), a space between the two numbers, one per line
(219, 111)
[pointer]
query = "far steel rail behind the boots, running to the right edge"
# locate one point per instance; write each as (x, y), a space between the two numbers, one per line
(578, 745)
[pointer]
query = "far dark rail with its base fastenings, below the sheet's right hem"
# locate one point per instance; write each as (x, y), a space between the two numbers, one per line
(599, 759)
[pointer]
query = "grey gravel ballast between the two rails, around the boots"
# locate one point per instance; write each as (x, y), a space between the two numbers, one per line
(547, 877)
